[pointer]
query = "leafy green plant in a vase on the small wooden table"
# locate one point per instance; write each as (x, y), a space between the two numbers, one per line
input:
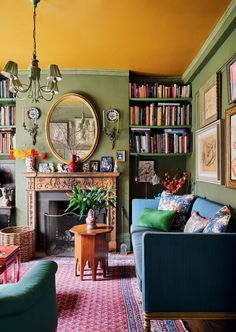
(90, 201)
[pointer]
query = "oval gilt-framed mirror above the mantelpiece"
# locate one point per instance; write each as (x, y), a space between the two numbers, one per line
(72, 127)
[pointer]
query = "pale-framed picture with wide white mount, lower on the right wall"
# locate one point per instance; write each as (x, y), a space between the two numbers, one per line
(208, 153)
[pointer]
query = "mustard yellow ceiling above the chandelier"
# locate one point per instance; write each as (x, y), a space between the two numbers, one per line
(159, 37)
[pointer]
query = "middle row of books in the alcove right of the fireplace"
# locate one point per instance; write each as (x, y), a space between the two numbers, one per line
(171, 114)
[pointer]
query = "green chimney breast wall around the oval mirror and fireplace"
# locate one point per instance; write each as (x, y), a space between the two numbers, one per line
(105, 89)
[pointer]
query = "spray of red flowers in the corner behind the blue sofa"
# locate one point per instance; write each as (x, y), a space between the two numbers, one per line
(174, 183)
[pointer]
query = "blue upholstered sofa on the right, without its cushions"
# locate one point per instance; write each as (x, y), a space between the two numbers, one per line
(184, 275)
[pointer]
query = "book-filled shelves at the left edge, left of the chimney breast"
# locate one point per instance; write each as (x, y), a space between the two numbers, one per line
(7, 118)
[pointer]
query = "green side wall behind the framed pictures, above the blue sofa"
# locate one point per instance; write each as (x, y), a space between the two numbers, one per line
(217, 62)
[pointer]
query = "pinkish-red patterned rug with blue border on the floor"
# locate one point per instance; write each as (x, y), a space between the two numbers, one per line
(109, 304)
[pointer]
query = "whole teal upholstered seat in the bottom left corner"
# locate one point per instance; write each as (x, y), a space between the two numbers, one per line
(30, 305)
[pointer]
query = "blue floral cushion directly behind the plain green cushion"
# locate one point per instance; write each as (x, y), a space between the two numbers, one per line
(180, 203)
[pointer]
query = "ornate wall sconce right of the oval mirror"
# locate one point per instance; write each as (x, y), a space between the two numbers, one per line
(111, 125)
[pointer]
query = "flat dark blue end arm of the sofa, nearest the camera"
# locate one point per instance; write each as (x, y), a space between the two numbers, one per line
(189, 272)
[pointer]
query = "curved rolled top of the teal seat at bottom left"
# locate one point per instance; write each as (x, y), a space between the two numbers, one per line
(19, 297)
